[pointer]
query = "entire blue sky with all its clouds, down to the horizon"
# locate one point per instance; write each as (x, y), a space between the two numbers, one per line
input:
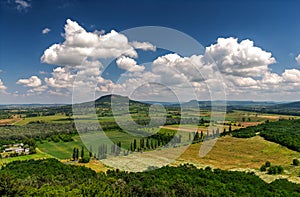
(64, 51)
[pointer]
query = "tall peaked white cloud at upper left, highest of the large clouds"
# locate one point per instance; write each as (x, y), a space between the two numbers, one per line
(80, 44)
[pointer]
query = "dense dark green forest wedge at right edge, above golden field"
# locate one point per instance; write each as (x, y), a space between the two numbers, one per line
(284, 132)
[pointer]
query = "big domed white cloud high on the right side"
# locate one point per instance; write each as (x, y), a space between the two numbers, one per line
(239, 59)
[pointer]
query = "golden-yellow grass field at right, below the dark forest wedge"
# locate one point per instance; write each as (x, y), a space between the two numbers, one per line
(235, 153)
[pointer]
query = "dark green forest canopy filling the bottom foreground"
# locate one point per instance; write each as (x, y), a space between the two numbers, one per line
(51, 178)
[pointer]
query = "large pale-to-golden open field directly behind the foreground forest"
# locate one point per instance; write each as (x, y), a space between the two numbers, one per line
(228, 154)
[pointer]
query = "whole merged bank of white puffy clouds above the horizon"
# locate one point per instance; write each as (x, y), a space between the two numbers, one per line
(244, 67)
